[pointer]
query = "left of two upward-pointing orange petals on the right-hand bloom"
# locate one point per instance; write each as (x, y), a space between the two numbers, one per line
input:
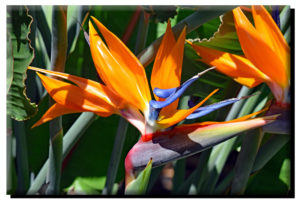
(258, 51)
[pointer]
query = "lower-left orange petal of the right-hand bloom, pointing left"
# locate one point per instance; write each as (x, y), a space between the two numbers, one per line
(235, 66)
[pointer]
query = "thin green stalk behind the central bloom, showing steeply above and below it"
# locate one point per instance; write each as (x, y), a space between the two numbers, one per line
(123, 124)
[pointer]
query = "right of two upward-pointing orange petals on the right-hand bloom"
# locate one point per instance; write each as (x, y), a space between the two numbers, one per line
(266, 26)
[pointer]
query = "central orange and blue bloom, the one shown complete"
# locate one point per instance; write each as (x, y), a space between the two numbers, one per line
(126, 91)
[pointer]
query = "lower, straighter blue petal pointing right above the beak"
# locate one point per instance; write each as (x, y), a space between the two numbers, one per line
(201, 111)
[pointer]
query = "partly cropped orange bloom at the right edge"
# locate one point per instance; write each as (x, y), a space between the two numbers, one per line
(267, 54)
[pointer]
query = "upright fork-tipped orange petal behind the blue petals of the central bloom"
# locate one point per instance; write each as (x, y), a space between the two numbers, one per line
(167, 67)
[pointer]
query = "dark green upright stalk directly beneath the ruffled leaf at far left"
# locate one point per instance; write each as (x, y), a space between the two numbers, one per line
(22, 157)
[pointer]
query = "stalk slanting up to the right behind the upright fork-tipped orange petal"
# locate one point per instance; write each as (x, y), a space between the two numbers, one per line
(191, 22)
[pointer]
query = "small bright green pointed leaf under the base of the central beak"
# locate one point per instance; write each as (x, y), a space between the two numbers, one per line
(139, 185)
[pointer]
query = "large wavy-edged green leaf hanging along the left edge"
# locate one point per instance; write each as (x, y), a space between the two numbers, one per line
(18, 27)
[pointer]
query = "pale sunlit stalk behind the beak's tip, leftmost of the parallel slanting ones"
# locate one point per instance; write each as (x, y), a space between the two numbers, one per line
(221, 152)
